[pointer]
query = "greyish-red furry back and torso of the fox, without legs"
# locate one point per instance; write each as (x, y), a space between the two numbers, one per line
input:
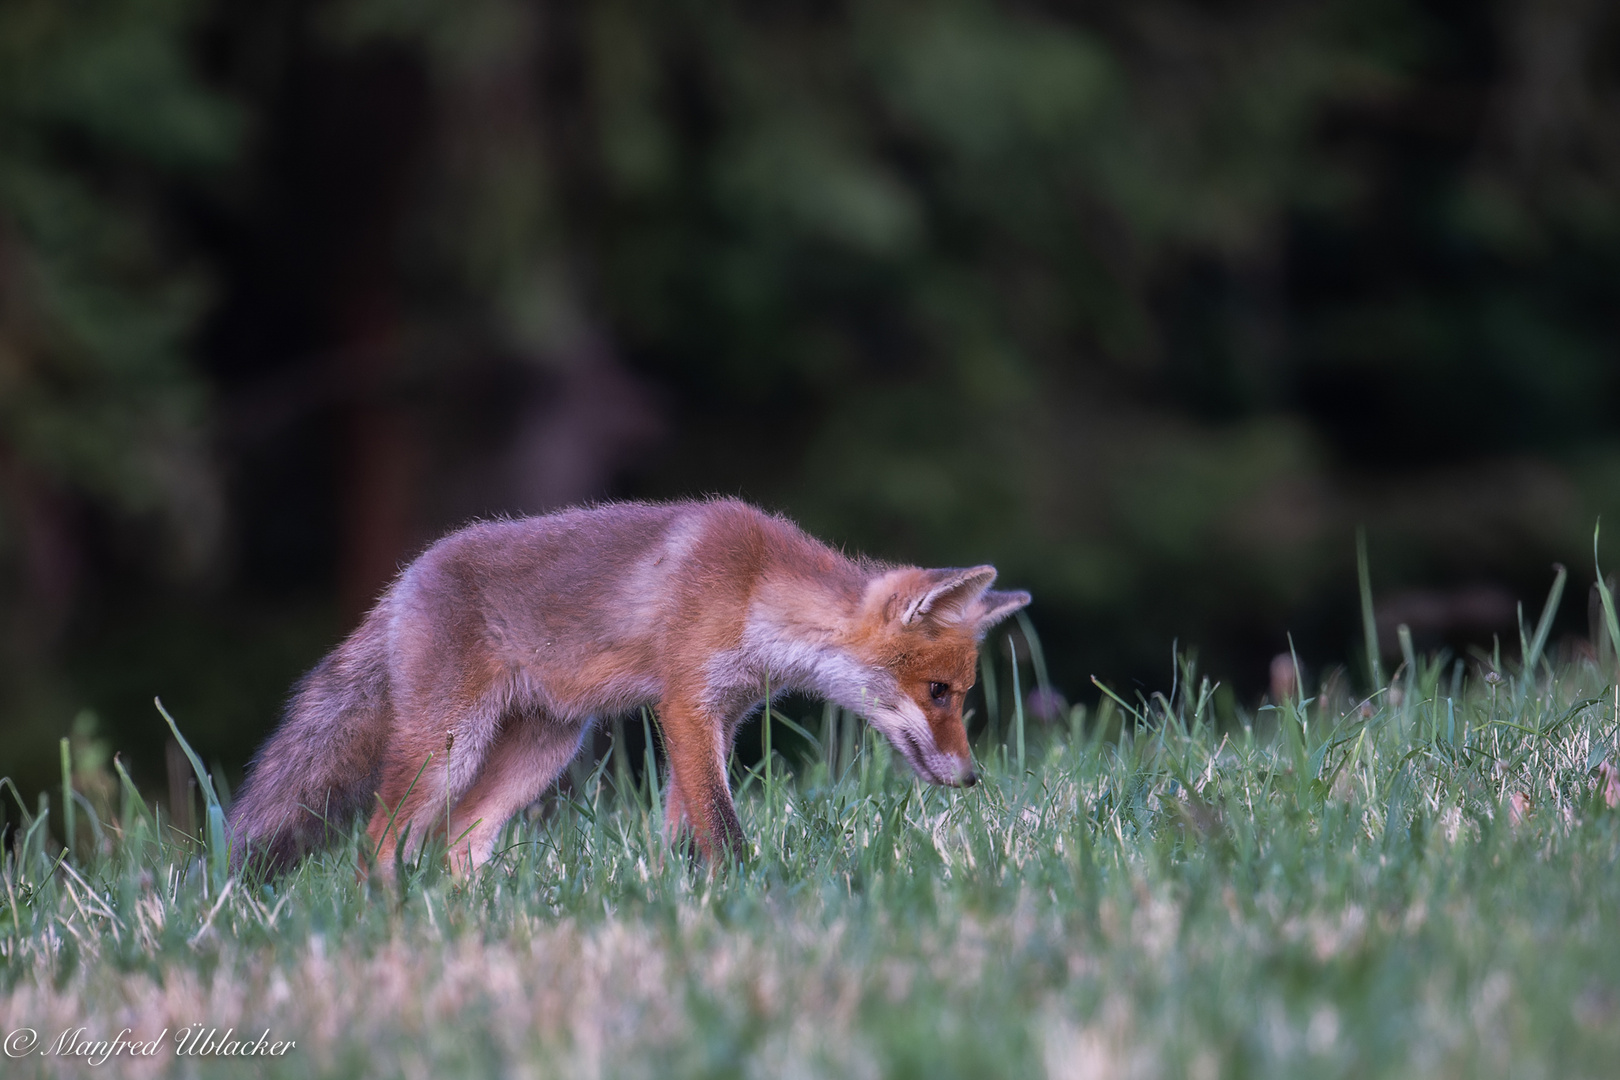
(594, 605)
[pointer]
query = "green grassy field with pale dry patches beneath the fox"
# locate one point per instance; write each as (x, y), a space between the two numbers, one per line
(1423, 883)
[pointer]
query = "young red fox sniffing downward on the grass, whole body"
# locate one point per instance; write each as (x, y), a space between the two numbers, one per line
(503, 644)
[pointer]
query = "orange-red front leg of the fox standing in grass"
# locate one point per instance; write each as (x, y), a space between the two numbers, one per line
(696, 744)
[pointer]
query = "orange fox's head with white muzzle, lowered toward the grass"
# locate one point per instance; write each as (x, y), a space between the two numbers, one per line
(923, 629)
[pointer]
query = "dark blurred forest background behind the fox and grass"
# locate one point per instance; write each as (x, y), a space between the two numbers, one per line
(1151, 304)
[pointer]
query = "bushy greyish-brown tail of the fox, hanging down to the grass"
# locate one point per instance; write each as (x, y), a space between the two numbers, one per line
(322, 765)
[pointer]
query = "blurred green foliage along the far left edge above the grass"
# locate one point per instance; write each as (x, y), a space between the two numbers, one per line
(104, 124)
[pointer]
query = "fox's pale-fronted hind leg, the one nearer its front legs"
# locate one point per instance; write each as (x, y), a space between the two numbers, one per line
(527, 755)
